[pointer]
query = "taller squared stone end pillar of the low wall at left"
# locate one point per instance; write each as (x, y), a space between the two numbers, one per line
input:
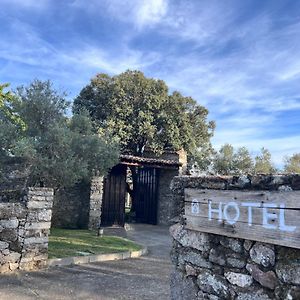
(36, 230)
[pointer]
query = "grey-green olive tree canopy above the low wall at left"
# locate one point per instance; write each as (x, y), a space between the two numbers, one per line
(60, 150)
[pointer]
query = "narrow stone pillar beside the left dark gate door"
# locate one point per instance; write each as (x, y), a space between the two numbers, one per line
(95, 202)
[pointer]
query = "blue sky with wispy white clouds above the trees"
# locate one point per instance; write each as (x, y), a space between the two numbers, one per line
(241, 59)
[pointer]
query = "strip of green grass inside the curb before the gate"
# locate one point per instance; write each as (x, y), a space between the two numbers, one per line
(69, 242)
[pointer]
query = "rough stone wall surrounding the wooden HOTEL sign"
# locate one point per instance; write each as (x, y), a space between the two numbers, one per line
(208, 266)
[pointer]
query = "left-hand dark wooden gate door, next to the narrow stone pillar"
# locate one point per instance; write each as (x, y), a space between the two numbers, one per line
(113, 206)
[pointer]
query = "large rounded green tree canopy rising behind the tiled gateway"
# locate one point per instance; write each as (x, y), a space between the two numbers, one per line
(140, 113)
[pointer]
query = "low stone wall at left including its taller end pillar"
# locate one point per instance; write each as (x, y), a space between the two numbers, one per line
(24, 230)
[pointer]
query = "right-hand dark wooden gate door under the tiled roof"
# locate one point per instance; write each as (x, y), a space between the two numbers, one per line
(146, 195)
